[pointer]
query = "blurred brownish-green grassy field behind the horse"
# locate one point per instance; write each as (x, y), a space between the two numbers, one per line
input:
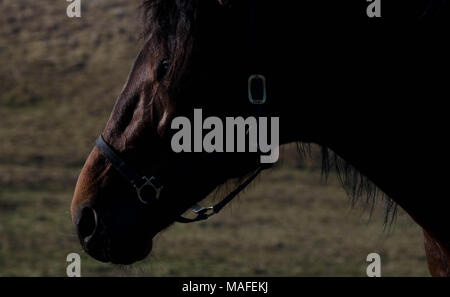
(59, 78)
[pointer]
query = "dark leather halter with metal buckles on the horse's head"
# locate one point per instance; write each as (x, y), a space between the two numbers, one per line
(142, 183)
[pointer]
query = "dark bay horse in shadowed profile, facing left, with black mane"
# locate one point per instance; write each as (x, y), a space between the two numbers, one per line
(370, 92)
